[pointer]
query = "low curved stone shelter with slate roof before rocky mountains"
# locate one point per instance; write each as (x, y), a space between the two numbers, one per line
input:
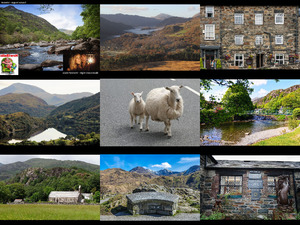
(152, 203)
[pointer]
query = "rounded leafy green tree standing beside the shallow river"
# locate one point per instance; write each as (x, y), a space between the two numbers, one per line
(237, 99)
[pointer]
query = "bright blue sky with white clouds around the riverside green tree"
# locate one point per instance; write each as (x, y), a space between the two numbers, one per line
(261, 87)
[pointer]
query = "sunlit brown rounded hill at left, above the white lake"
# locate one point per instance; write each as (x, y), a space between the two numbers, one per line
(27, 103)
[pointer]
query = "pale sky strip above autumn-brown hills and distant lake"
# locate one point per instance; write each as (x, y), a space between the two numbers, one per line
(151, 10)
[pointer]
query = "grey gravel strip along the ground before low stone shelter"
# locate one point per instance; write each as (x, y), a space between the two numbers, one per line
(177, 217)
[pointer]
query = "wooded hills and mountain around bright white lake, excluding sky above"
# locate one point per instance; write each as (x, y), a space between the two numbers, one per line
(29, 120)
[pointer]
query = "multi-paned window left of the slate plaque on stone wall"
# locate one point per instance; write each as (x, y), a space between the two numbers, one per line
(231, 184)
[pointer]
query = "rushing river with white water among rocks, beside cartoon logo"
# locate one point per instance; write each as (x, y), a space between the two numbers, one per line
(37, 56)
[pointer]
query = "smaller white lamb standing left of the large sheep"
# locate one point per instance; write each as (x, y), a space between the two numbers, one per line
(137, 108)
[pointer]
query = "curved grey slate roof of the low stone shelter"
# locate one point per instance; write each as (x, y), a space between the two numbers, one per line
(144, 196)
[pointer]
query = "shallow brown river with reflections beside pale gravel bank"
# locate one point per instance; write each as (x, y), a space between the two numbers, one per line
(235, 131)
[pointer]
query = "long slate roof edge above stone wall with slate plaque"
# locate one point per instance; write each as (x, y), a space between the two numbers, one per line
(254, 164)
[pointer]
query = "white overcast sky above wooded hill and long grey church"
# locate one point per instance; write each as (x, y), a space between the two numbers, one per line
(93, 159)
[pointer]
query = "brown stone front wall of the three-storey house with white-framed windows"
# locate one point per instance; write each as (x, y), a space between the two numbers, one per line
(229, 29)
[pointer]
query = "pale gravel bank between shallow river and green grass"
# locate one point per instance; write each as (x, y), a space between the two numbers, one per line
(262, 135)
